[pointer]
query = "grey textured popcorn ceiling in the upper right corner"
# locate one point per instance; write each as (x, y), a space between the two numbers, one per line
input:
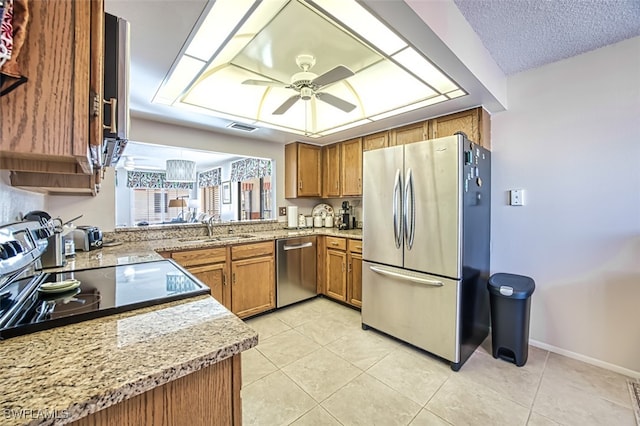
(524, 34)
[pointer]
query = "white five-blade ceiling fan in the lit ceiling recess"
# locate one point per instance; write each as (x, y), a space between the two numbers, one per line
(307, 85)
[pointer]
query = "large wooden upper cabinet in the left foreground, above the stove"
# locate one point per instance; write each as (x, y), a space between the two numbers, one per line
(48, 122)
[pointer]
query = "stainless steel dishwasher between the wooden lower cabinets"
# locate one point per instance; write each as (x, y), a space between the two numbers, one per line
(295, 270)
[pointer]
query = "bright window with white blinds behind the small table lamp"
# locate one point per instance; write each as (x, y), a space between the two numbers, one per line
(152, 205)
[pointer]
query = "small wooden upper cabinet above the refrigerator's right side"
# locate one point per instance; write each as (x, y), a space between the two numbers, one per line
(475, 123)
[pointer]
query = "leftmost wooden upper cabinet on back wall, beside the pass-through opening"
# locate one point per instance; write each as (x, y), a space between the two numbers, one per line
(302, 170)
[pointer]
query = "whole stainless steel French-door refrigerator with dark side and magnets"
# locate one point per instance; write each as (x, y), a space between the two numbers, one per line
(426, 244)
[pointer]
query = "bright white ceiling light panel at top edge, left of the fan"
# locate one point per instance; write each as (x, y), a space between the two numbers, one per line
(219, 23)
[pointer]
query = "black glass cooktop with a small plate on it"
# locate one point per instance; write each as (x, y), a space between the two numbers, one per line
(102, 291)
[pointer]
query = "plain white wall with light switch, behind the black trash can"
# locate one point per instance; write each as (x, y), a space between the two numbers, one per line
(571, 139)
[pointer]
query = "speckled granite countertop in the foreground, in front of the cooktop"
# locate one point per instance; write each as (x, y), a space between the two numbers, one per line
(81, 368)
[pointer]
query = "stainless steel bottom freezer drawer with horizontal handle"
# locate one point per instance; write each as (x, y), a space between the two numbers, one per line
(417, 308)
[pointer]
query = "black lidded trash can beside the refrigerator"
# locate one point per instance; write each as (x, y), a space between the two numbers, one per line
(510, 300)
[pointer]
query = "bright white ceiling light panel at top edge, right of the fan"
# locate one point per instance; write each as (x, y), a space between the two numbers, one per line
(366, 25)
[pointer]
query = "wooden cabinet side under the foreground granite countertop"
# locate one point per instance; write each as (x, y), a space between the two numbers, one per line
(210, 396)
